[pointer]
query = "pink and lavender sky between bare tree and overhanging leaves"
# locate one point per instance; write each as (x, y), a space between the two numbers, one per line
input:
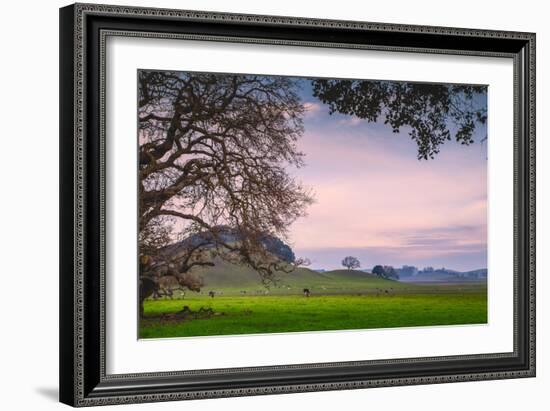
(375, 200)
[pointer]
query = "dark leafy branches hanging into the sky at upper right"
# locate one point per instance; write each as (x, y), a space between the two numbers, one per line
(431, 113)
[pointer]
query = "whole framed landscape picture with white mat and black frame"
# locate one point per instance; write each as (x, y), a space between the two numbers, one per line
(259, 205)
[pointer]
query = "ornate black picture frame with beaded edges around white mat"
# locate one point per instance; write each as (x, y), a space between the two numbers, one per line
(84, 30)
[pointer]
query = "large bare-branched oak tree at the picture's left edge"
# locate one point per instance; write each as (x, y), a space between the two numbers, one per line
(213, 157)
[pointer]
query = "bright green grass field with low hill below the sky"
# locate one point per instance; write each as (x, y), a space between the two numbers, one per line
(340, 300)
